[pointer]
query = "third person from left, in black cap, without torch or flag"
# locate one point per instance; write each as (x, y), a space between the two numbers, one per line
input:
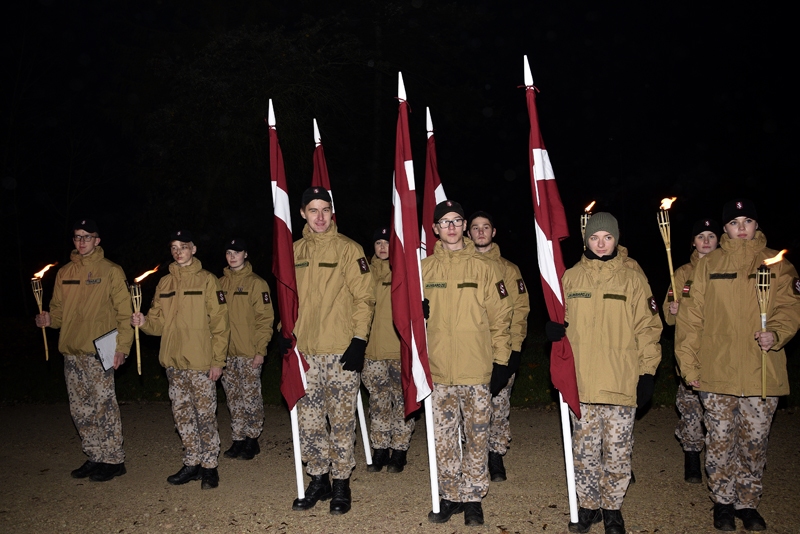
(251, 317)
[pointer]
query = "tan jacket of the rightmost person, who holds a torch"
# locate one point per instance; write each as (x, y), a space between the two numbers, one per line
(719, 316)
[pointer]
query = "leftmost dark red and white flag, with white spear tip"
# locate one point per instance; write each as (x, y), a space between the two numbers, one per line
(293, 375)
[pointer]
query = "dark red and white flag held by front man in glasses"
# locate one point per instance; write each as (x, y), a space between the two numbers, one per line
(406, 271)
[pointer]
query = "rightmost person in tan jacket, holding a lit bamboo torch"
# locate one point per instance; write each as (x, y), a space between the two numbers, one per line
(721, 350)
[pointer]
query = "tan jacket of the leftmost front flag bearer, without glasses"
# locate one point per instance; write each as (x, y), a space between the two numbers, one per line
(336, 292)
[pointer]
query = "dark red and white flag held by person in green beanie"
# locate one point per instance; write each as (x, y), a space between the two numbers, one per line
(551, 228)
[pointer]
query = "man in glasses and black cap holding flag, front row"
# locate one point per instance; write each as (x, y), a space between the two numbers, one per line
(469, 345)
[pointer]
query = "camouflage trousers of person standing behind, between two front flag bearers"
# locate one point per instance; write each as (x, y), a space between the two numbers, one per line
(388, 428)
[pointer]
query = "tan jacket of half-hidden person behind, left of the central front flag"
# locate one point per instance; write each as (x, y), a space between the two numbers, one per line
(384, 343)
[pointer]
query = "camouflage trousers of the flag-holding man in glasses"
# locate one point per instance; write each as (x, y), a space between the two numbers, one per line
(463, 475)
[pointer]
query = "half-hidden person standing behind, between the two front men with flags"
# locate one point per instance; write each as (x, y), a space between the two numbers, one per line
(389, 428)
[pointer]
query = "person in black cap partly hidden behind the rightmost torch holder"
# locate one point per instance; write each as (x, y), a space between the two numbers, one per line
(689, 431)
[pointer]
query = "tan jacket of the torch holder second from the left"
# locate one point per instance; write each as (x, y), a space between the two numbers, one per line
(190, 314)
